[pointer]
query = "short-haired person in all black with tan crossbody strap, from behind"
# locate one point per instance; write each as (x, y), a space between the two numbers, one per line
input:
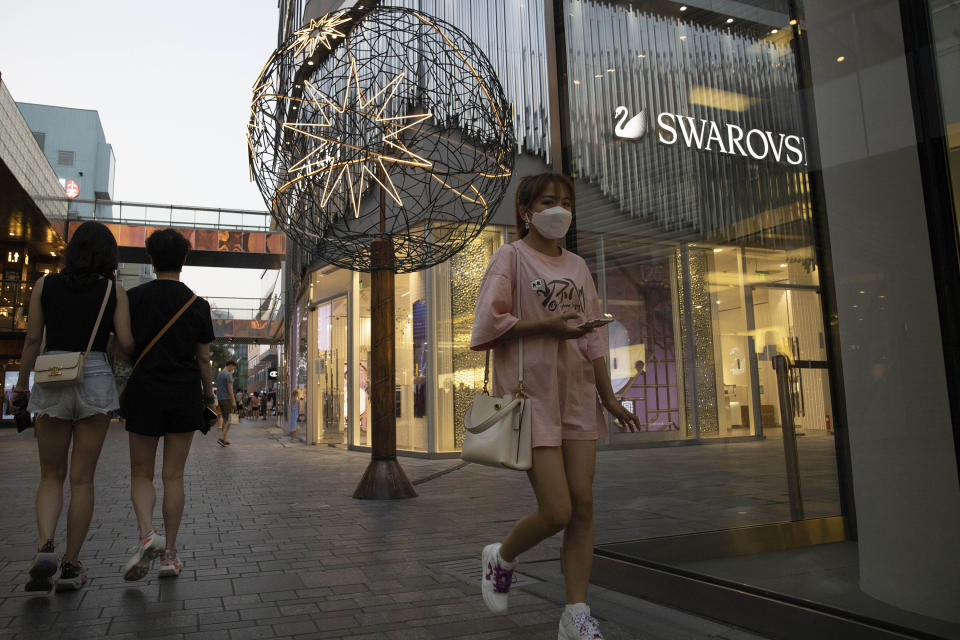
(169, 395)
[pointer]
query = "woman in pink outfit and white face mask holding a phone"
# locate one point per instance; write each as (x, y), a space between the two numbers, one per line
(566, 380)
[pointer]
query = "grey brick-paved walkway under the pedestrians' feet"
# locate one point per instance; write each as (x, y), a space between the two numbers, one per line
(275, 547)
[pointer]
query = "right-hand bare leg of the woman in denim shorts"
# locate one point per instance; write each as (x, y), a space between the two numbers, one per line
(88, 436)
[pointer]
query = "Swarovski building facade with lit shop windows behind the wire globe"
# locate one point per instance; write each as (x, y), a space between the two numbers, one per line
(758, 183)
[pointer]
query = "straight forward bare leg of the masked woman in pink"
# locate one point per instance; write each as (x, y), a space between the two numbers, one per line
(579, 460)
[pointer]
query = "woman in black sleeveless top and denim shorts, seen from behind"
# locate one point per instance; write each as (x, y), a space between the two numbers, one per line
(63, 311)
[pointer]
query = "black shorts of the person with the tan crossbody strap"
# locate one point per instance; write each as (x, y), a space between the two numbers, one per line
(174, 410)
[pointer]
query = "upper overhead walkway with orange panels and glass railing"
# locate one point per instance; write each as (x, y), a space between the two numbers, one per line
(220, 237)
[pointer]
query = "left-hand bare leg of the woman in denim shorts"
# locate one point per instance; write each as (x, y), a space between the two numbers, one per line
(53, 444)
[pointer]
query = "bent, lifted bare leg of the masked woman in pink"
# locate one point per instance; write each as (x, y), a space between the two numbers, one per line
(553, 504)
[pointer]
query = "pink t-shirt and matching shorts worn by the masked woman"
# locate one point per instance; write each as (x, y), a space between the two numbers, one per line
(557, 374)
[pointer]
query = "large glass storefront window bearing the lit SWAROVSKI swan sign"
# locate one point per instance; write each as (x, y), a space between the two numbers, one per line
(750, 202)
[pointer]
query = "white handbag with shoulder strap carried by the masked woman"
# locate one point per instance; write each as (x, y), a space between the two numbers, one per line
(498, 432)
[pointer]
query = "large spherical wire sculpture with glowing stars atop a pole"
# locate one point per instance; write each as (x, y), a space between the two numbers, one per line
(382, 123)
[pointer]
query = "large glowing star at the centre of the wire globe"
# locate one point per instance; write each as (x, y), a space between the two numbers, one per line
(347, 167)
